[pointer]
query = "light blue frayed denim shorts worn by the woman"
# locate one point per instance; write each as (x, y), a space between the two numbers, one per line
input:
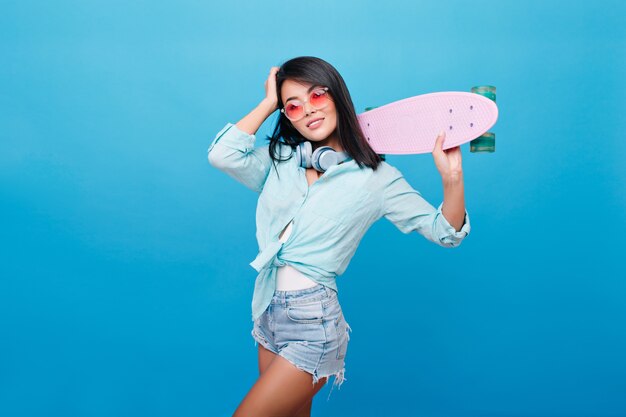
(306, 327)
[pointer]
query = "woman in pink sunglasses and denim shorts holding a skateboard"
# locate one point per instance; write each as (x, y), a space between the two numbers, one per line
(321, 187)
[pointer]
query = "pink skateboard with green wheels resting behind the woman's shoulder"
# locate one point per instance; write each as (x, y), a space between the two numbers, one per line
(411, 125)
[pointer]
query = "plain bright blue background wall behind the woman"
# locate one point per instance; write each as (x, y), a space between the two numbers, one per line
(125, 287)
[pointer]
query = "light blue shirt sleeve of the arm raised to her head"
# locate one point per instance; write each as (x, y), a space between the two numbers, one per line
(233, 152)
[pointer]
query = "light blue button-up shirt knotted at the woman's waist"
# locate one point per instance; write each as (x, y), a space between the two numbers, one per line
(330, 217)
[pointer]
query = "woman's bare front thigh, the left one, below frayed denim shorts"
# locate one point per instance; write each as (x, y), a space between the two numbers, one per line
(281, 390)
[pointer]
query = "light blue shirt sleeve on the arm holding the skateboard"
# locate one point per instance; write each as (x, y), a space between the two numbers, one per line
(409, 211)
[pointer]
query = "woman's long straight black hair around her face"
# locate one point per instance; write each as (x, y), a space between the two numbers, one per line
(316, 71)
